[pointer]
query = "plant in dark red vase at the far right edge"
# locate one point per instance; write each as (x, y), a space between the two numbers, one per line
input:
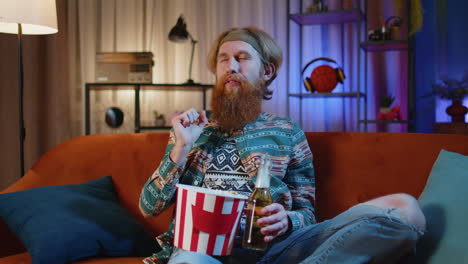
(455, 90)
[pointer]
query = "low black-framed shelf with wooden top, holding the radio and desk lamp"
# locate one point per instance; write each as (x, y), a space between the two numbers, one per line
(137, 87)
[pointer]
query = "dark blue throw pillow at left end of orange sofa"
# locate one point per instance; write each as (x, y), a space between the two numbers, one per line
(59, 224)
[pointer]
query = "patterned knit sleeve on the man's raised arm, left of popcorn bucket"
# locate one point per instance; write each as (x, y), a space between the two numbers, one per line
(158, 192)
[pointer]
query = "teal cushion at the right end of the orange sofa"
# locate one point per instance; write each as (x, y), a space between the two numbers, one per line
(444, 203)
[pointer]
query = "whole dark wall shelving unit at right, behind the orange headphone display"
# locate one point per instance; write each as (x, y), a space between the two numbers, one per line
(360, 94)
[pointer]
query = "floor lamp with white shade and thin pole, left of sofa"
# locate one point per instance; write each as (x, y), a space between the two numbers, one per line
(26, 17)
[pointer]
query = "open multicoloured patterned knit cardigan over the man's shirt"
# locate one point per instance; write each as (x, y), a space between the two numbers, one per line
(292, 183)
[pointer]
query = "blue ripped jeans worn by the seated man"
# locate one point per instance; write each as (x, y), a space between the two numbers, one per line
(362, 234)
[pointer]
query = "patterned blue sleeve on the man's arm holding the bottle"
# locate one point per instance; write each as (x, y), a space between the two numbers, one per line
(301, 181)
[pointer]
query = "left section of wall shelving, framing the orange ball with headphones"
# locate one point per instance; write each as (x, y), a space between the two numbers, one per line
(353, 15)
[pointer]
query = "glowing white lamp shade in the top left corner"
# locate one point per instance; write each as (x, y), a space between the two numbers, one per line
(37, 17)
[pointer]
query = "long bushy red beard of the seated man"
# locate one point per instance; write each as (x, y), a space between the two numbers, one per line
(234, 109)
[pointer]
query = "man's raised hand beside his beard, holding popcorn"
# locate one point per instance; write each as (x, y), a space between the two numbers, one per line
(187, 128)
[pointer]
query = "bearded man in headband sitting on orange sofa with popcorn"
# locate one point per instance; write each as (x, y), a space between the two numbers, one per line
(222, 150)
